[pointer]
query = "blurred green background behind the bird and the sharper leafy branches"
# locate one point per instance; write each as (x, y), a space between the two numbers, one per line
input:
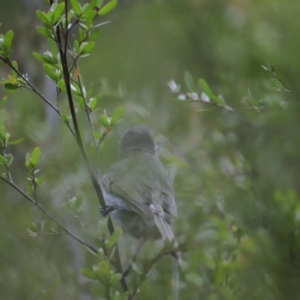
(237, 173)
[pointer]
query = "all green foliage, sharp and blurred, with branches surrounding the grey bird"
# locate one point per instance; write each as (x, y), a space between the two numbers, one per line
(231, 134)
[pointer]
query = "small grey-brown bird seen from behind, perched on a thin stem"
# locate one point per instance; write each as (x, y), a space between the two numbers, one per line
(137, 191)
